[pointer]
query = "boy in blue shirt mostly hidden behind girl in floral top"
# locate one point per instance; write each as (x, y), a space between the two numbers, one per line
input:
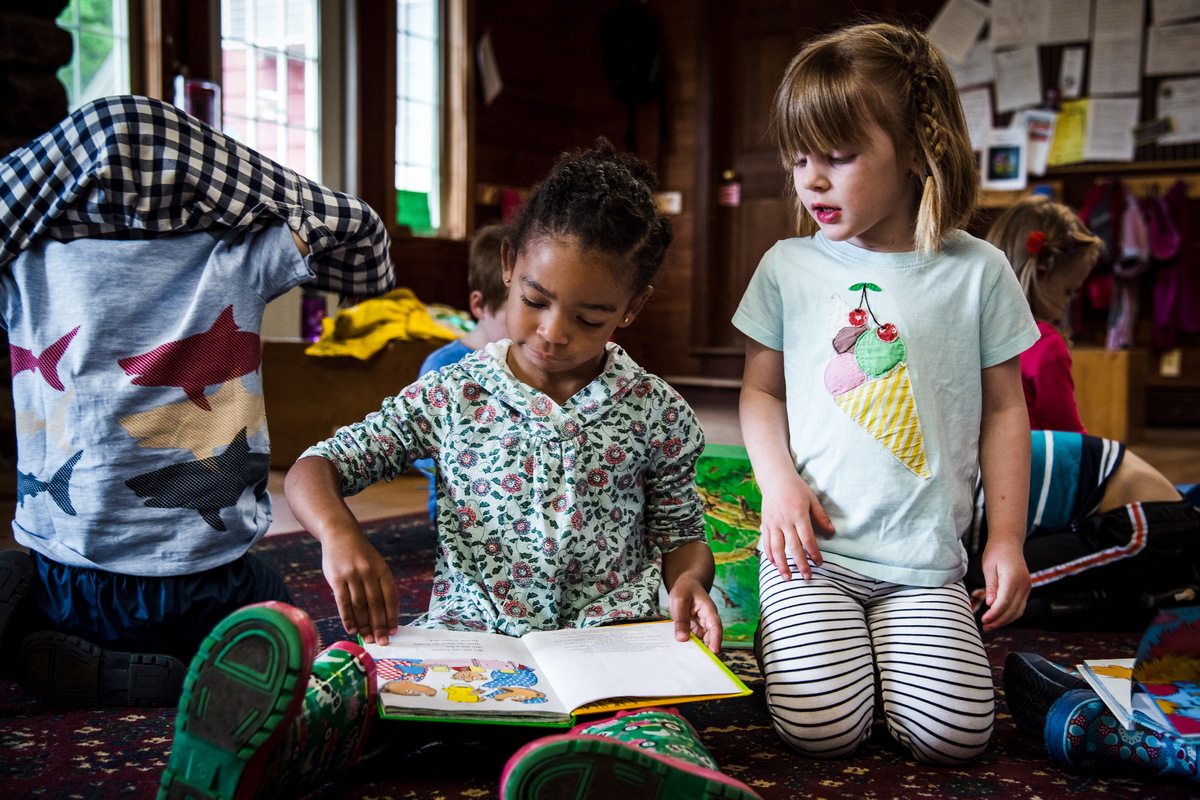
(489, 297)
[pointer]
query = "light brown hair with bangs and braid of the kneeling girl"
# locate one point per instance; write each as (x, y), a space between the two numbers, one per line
(841, 82)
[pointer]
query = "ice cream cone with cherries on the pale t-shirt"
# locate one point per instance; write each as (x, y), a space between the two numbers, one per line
(869, 380)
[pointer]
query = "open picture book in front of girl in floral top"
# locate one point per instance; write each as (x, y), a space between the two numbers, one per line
(544, 678)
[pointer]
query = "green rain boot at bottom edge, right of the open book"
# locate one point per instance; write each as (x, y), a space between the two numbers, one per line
(640, 755)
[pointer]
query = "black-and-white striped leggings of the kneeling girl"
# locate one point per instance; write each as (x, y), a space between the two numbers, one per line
(832, 643)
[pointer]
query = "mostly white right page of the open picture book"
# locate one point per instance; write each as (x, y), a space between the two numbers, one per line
(627, 661)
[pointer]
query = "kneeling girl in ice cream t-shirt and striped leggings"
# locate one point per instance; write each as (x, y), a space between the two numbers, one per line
(881, 377)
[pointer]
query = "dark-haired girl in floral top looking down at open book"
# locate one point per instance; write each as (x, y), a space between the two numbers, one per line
(566, 472)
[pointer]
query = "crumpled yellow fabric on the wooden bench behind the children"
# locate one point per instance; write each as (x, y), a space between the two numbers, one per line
(364, 330)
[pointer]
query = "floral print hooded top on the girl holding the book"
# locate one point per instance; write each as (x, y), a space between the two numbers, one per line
(549, 516)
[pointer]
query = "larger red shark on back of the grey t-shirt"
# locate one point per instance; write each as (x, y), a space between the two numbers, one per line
(219, 354)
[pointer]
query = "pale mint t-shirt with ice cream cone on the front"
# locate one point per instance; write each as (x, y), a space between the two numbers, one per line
(883, 358)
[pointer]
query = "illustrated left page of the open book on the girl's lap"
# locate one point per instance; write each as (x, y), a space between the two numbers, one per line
(461, 675)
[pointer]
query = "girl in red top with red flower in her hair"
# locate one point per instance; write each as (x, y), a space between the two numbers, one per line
(1052, 252)
